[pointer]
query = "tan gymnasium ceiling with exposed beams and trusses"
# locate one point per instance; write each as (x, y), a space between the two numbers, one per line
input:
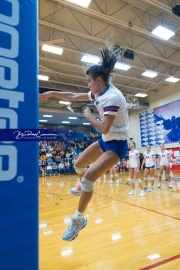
(80, 31)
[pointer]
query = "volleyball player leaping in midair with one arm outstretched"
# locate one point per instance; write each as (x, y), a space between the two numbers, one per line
(114, 126)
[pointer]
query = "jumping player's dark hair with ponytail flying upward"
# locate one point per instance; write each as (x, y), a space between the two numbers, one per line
(110, 55)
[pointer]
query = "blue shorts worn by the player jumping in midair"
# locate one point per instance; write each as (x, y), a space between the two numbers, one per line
(119, 147)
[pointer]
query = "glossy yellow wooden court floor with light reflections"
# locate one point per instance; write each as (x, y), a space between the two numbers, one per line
(123, 232)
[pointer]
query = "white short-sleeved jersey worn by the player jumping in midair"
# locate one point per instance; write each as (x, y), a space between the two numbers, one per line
(112, 102)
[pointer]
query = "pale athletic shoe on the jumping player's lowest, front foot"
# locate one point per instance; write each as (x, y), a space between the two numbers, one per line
(73, 229)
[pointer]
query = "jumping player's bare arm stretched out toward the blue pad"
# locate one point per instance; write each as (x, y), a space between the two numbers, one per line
(68, 96)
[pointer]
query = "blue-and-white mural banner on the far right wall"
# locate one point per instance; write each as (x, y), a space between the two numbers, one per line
(161, 125)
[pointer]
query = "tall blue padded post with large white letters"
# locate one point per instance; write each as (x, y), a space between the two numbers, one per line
(18, 160)
